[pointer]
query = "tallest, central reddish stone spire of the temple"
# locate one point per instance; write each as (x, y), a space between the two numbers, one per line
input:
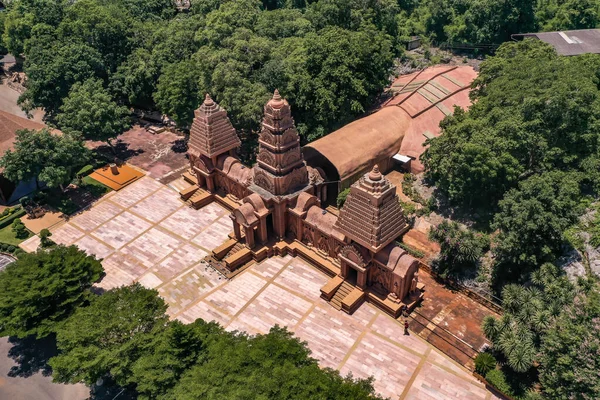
(280, 169)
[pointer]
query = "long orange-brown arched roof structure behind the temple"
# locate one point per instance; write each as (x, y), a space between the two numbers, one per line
(421, 100)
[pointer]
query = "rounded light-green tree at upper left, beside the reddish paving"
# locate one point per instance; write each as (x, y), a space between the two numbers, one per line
(90, 111)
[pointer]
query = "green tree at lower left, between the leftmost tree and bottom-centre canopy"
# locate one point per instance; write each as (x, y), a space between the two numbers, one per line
(106, 337)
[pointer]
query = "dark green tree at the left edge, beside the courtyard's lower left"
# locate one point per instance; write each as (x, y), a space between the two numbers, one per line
(40, 290)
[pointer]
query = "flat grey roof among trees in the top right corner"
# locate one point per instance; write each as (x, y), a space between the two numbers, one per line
(569, 43)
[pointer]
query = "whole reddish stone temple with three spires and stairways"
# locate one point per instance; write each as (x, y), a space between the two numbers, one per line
(276, 208)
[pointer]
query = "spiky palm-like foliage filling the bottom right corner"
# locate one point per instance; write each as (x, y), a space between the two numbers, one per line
(551, 328)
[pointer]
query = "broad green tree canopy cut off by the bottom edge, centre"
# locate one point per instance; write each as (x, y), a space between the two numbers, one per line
(271, 366)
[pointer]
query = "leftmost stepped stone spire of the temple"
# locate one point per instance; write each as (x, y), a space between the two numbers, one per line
(212, 133)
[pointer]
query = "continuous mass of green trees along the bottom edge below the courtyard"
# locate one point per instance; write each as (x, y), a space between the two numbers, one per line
(124, 335)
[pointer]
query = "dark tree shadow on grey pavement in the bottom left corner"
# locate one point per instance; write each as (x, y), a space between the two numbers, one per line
(31, 355)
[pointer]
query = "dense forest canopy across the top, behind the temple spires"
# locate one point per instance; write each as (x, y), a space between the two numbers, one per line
(330, 58)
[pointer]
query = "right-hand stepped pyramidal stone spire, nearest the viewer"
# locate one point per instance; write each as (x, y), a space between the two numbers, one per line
(371, 215)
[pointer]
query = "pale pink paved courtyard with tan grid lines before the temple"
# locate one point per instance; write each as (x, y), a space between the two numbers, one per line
(145, 233)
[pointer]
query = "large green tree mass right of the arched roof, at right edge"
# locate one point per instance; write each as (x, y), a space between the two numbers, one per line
(525, 152)
